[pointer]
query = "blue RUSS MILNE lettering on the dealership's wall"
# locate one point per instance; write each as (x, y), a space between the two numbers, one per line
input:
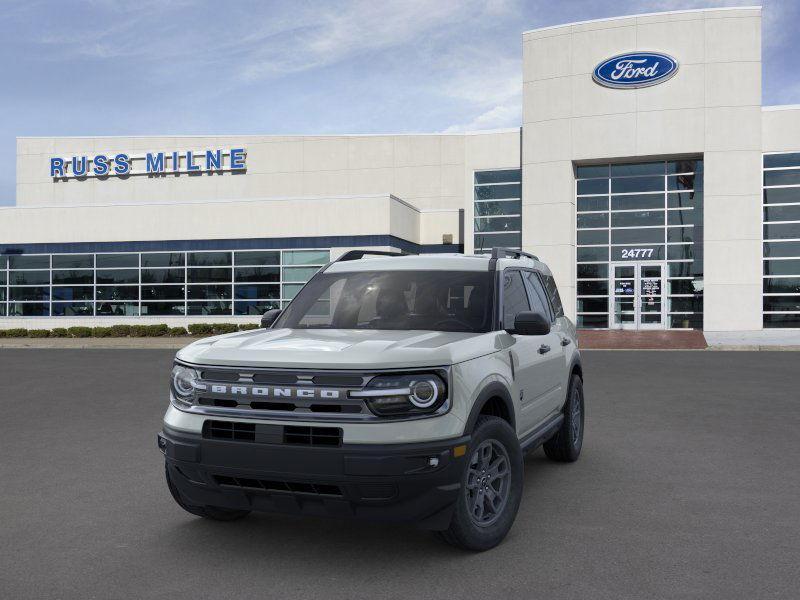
(151, 163)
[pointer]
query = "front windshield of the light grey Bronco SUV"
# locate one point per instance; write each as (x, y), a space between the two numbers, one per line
(433, 300)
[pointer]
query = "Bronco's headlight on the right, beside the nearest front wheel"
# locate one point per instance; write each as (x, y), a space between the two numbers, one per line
(405, 394)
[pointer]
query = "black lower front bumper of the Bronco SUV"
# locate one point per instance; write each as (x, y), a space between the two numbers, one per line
(413, 483)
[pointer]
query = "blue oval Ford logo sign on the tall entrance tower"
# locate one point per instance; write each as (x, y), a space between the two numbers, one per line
(635, 70)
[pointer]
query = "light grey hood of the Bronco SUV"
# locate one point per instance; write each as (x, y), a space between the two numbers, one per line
(339, 348)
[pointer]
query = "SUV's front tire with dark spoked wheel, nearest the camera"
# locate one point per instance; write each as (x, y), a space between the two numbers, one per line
(476, 524)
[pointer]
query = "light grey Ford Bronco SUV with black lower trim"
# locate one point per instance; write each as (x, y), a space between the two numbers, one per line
(402, 388)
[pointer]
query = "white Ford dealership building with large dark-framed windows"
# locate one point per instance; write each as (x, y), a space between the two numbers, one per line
(645, 172)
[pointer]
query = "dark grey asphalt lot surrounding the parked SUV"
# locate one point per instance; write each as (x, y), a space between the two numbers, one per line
(688, 487)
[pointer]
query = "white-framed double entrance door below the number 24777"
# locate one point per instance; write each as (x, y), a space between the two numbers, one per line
(637, 290)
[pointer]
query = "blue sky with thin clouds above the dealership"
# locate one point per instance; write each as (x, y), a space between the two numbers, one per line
(172, 67)
